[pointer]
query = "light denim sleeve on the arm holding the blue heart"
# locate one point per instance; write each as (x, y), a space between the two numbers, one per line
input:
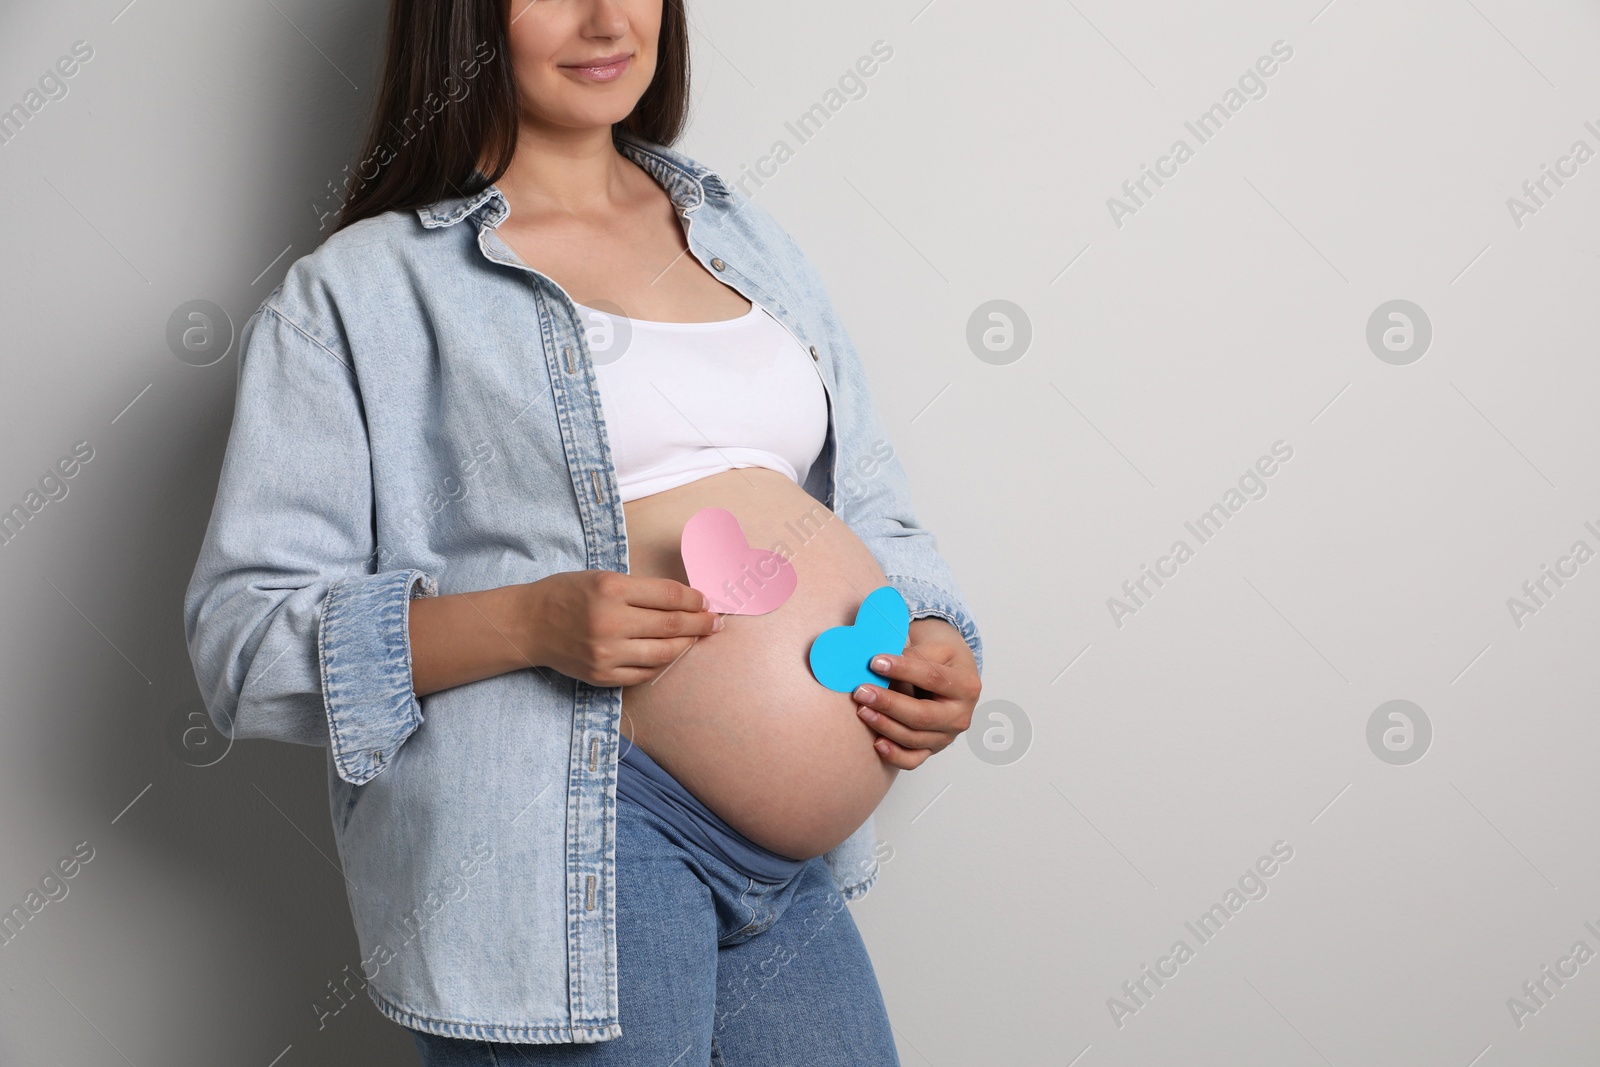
(873, 495)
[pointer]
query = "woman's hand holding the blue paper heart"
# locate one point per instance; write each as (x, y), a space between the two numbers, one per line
(930, 700)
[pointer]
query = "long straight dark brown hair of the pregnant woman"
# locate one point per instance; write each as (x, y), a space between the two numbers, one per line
(449, 102)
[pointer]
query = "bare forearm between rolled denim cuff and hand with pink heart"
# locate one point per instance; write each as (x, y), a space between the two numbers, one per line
(468, 637)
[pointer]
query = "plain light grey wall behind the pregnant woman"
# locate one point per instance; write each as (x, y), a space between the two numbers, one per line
(1167, 356)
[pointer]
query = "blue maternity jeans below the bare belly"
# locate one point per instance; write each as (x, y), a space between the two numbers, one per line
(718, 970)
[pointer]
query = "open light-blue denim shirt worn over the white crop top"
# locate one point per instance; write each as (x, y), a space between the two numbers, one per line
(417, 415)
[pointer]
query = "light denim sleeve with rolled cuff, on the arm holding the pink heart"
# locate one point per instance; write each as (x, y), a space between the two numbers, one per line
(294, 631)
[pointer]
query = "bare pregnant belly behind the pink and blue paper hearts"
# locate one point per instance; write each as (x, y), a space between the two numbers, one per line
(738, 719)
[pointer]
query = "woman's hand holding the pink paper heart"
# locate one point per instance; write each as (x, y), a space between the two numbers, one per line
(615, 629)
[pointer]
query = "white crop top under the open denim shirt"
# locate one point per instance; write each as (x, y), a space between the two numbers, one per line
(689, 401)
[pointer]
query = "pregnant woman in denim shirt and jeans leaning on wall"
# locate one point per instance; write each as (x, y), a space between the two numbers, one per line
(586, 812)
